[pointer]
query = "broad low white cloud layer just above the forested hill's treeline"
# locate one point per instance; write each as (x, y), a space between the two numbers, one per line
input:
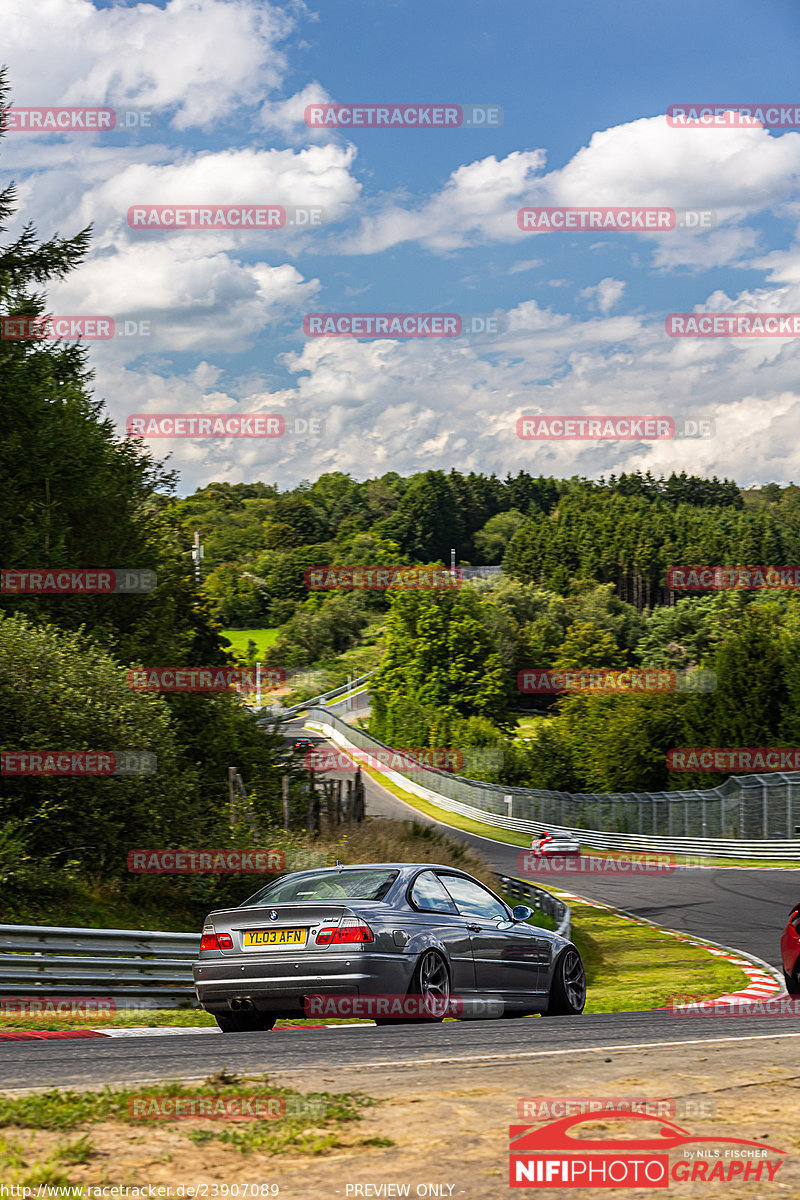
(413, 406)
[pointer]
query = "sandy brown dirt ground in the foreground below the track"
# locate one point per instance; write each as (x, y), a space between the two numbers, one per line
(448, 1126)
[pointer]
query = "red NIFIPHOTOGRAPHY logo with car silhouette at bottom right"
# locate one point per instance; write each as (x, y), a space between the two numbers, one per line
(556, 1156)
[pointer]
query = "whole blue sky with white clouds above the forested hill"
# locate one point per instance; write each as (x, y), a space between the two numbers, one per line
(426, 221)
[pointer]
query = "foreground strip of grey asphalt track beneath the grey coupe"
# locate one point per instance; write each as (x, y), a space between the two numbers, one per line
(195, 1057)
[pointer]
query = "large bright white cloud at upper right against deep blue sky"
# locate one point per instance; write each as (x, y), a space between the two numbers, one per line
(735, 173)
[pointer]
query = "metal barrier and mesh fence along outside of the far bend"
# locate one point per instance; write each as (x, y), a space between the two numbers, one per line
(750, 817)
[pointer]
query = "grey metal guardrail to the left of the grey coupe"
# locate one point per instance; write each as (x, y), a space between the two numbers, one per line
(137, 969)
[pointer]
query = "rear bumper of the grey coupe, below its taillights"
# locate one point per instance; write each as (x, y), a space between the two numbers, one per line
(284, 985)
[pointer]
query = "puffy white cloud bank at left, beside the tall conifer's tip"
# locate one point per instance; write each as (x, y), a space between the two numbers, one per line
(194, 286)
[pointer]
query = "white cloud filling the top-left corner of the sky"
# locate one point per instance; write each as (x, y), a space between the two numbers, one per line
(197, 59)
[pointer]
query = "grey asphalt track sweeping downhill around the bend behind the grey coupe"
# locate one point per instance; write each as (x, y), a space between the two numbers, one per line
(742, 909)
